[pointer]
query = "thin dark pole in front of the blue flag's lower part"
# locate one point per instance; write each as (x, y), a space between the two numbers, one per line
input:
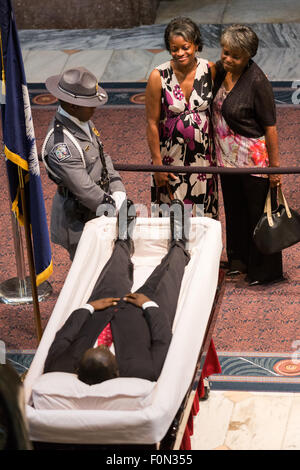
(36, 308)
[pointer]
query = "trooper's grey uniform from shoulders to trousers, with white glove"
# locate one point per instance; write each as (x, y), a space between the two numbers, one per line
(85, 176)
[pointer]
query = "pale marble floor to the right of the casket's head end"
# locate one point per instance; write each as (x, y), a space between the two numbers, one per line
(232, 420)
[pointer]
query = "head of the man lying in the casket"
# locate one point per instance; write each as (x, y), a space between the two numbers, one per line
(97, 365)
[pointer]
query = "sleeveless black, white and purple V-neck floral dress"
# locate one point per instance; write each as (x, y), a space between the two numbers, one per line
(185, 140)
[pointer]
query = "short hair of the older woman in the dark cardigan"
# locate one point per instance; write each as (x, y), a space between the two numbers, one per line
(240, 37)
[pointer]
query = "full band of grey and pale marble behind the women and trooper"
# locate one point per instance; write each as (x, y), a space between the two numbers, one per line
(129, 55)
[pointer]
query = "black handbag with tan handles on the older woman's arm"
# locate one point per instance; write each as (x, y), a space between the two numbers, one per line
(277, 229)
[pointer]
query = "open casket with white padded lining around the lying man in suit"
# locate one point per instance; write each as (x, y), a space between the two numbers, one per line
(60, 409)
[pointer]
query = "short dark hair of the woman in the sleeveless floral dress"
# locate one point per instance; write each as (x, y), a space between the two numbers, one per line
(185, 27)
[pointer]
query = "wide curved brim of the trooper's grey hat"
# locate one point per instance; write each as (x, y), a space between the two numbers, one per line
(95, 101)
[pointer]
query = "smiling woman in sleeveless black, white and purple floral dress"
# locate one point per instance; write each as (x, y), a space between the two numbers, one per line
(178, 96)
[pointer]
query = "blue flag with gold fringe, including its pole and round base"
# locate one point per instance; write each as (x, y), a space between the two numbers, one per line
(22, 162)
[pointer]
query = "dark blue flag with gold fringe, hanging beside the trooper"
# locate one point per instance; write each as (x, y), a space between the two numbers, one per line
(19, 142)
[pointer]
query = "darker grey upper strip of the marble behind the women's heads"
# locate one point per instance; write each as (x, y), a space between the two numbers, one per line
(279, 35)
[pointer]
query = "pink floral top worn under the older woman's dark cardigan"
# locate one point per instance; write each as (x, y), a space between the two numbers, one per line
(232, 149)
